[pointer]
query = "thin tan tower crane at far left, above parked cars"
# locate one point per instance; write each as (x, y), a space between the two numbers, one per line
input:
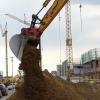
(4, 34)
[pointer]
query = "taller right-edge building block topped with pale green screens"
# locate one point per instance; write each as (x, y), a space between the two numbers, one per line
(91, 59)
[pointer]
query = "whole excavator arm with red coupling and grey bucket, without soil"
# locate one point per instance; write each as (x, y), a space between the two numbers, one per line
(18, 41)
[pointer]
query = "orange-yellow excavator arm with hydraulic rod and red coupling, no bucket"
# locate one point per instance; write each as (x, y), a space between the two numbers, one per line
(46, 20)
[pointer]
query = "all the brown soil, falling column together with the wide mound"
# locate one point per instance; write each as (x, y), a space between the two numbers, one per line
(38, 85)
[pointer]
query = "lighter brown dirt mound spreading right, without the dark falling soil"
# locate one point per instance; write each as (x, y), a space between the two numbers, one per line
(58, 89)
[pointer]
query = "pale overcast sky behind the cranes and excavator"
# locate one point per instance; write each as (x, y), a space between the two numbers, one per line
(83, 41)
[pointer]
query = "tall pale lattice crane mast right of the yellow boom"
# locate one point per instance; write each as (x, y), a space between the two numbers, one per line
(69, 49)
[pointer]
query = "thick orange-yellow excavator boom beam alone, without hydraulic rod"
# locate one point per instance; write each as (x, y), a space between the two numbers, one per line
(51, 14)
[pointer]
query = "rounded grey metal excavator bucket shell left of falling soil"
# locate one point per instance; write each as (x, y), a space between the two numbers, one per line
(17, 43)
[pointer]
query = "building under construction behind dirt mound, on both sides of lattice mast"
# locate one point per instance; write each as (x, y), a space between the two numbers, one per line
(87, 67)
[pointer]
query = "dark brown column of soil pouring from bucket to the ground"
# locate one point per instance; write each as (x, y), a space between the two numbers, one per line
(34, 83)
